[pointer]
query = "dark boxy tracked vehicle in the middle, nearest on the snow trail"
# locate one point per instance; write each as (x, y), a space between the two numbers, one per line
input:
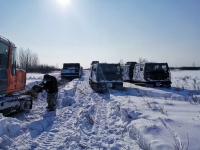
(104, 76)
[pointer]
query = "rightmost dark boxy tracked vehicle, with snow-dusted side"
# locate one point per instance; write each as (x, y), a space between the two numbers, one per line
(152, 74)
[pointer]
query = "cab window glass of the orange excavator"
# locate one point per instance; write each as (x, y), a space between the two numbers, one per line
(3, 55)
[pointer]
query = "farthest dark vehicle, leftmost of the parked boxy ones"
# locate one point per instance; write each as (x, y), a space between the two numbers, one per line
(71, 71)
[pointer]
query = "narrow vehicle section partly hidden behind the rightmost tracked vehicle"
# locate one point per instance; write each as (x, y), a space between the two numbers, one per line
(127, 71)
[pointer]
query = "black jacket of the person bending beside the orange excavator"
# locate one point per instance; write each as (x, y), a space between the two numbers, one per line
(51, 84)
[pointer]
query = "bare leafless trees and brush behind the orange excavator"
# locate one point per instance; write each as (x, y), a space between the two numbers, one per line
(30, 62)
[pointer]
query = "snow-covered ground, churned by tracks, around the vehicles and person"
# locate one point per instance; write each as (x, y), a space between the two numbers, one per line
(135, 118)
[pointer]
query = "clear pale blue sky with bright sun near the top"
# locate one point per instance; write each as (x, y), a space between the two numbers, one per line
(105, 30)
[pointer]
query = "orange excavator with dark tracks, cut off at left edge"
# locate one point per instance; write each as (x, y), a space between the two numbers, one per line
(11, 80)
